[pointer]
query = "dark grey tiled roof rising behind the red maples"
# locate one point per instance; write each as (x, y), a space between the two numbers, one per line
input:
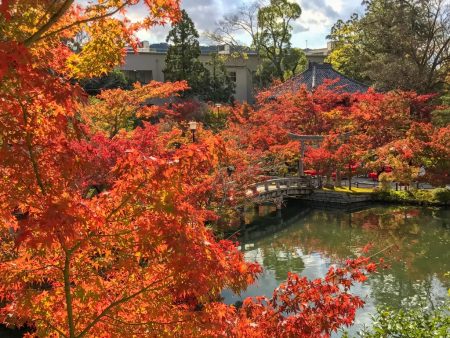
(315, 75)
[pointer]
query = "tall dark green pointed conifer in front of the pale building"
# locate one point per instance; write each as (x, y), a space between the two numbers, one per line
(182, 60)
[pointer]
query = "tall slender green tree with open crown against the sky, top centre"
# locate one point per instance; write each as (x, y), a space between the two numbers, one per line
(275, 22)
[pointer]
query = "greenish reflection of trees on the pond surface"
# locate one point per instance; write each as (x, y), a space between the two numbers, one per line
(421, 246)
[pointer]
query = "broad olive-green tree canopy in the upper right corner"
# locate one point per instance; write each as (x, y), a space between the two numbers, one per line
(395, 44)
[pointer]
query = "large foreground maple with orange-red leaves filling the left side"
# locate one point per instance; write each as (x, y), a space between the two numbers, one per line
(103, 227)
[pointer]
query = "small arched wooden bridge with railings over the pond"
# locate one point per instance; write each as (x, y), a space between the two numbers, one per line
(275, 190)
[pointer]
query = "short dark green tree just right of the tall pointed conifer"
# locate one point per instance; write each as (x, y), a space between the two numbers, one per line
(221, 86)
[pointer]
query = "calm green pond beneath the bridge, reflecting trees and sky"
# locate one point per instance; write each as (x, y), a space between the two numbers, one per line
(307, 240)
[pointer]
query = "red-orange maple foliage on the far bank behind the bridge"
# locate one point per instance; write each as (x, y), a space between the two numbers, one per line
(364, 131)
